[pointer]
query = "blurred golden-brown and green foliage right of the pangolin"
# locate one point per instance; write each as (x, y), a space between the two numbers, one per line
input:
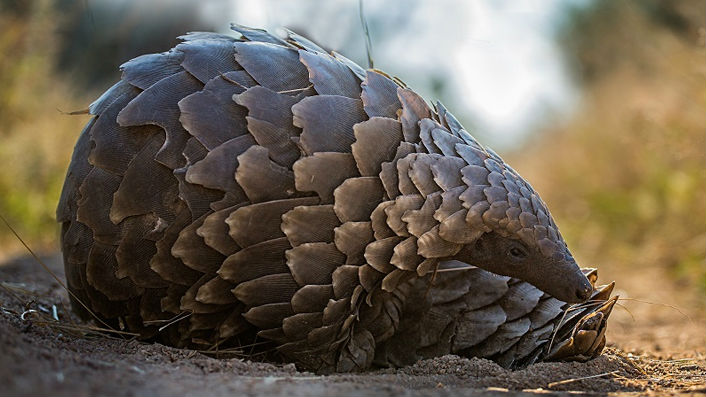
(625, 177)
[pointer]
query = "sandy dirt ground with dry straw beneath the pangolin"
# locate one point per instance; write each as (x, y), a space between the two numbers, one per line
(655, 348)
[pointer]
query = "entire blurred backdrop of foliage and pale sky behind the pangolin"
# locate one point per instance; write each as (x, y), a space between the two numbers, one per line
(599, 103)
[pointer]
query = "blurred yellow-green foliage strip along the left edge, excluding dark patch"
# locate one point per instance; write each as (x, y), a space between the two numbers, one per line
(36, 139)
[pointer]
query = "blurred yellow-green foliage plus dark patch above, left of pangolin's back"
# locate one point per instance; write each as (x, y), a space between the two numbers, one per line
(58, 56)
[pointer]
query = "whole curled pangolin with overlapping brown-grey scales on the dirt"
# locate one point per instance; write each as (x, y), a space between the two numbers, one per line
(260, 193)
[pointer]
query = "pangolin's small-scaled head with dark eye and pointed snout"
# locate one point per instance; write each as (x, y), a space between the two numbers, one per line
(512, 232)
